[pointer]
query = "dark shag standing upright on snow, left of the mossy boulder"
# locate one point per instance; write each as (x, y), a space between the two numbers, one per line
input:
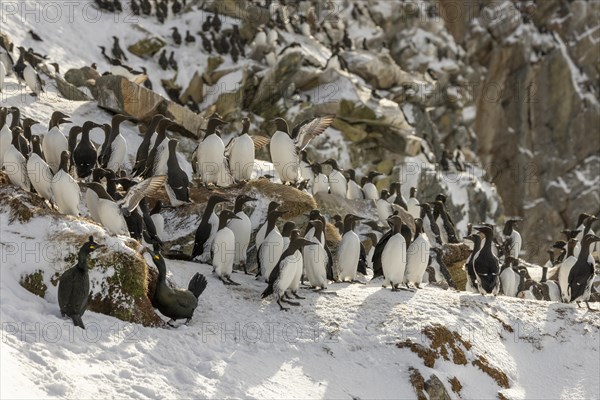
(74, 285)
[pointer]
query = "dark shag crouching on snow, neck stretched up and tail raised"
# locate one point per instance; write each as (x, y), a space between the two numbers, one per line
(176, 303)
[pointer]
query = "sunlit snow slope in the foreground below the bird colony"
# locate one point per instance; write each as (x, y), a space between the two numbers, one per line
(333, 346)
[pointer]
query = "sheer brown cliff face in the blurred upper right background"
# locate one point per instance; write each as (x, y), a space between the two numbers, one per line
(537, 111)
